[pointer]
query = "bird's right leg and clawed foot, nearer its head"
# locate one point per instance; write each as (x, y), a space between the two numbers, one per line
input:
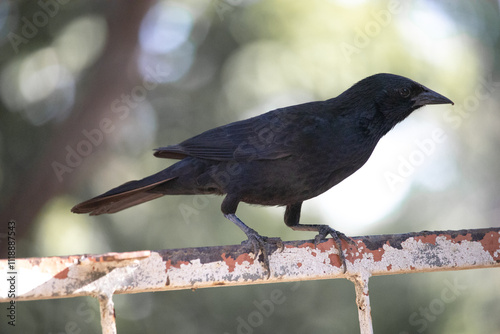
(292, 217)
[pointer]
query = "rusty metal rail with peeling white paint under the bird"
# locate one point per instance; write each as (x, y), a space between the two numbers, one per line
(103, 275)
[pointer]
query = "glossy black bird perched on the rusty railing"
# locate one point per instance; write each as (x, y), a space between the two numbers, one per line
(282, 157)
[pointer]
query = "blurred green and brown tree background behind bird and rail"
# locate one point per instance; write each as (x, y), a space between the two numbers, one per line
(89, 88)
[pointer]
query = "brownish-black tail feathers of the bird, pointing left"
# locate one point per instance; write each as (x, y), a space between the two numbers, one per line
(124, 196)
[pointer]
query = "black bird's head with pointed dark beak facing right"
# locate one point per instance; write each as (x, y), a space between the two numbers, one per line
(393, 96)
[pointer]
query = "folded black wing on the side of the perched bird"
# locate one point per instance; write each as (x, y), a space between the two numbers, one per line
(266, 137)
